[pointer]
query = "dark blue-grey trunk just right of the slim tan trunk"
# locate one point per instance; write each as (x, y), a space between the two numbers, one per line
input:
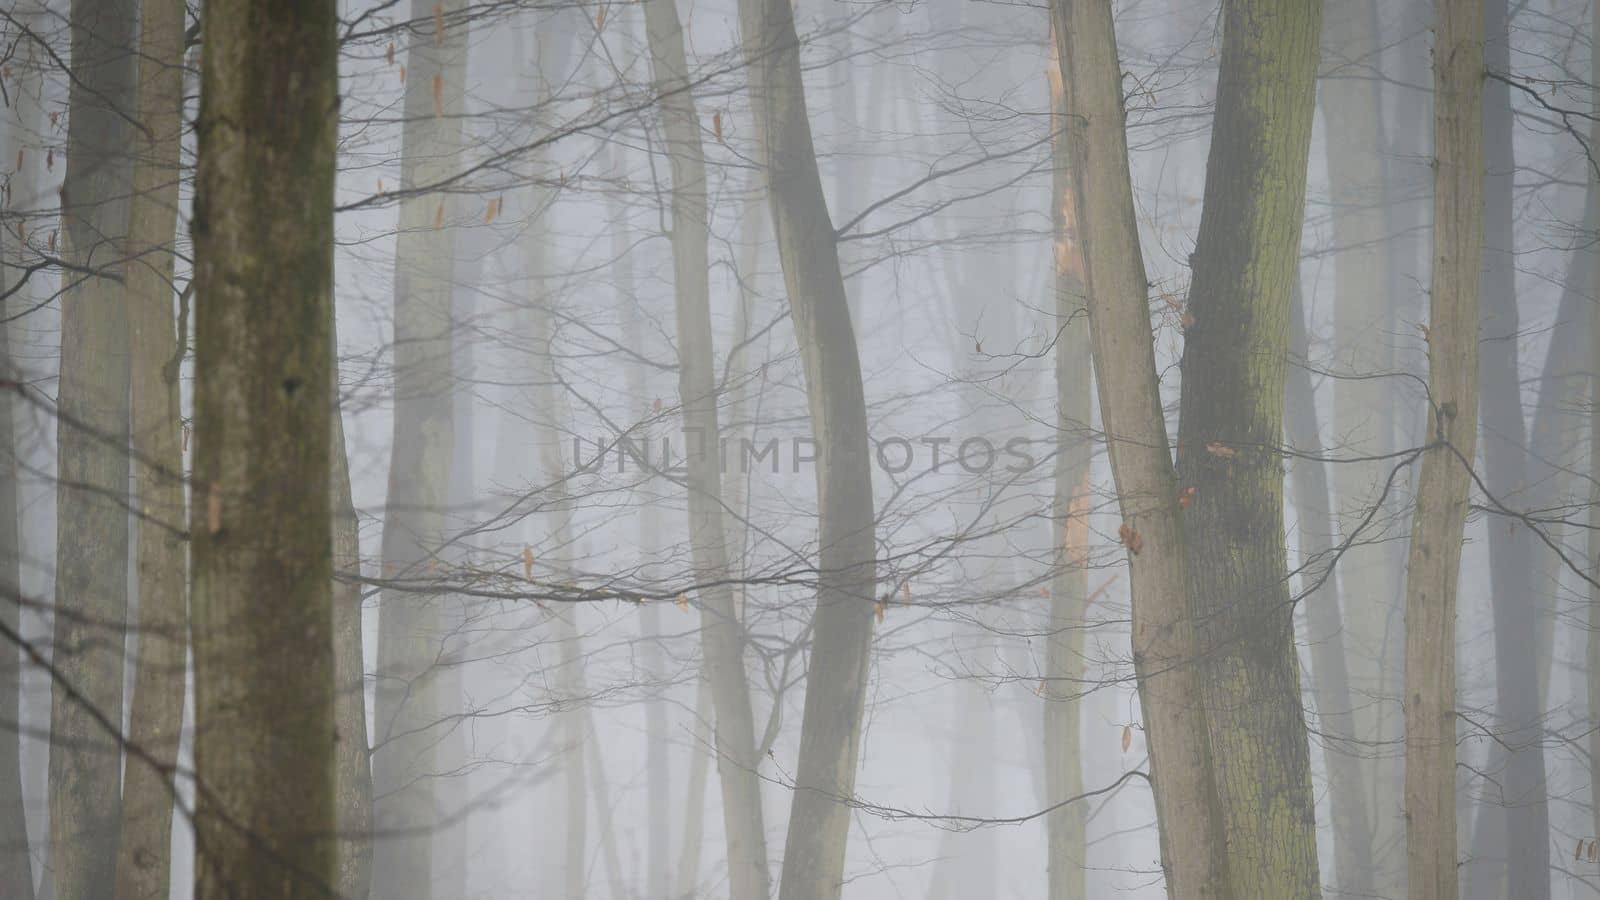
(1513, 821)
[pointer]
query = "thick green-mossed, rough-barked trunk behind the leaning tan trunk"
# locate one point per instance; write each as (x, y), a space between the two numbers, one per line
(1246, 268)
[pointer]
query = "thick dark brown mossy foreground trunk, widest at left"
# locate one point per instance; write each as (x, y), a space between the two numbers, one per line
(263, 563)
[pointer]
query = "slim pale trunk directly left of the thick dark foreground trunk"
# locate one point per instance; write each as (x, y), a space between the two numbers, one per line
(146, 848)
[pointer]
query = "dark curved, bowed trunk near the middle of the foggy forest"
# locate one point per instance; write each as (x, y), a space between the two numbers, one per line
(847, 552)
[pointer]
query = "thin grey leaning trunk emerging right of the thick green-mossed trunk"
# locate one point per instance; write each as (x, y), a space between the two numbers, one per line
(1353, 843)
